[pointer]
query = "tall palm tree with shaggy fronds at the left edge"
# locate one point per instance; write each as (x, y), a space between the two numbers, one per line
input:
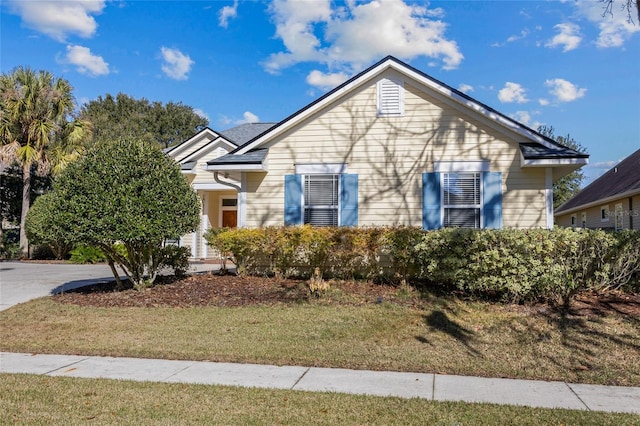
(36, 129)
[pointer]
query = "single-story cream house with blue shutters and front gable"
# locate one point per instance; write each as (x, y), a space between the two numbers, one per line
(390, 146)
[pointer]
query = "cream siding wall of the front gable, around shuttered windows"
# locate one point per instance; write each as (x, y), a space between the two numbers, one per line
(390, 154)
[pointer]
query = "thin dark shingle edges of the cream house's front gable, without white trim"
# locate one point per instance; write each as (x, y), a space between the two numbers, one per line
(540, 150)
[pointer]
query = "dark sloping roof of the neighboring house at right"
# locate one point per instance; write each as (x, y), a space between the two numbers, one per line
(621, 179)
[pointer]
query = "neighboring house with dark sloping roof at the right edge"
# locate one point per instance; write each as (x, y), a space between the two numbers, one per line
(611, 201)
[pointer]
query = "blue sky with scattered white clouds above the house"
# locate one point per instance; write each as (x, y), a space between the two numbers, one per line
(558, 63)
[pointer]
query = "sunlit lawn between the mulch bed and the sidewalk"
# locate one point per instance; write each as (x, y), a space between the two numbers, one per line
(445, 336)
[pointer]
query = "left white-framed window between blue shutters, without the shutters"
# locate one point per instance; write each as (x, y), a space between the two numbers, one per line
(321, 193)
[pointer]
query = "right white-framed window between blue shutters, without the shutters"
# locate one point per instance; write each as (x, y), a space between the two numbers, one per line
(462, 199)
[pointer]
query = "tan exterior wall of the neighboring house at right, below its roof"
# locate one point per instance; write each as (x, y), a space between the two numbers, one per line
(630, 215)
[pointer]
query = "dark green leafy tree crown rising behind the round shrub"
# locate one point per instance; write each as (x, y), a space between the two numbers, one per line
(125, 117)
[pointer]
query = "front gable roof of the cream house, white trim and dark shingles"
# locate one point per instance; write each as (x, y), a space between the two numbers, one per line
(539, 146)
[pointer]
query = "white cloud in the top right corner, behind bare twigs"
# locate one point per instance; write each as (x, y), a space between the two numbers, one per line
(615, 29)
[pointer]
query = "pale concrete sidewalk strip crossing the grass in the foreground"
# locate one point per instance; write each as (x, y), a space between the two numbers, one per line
(435, 387)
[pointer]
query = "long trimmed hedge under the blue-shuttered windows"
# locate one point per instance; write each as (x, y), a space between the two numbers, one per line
(511, 265)
